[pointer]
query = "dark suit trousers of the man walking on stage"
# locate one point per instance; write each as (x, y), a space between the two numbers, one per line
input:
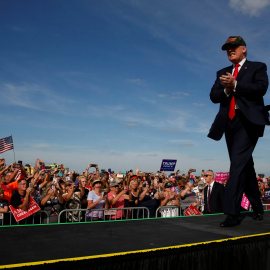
(241, 138)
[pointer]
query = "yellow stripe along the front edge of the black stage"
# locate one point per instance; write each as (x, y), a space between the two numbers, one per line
(125, 253)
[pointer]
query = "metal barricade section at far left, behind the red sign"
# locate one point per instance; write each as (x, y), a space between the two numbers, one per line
(37, 218)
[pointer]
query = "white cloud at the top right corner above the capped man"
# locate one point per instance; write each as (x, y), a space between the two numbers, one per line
(250, 7)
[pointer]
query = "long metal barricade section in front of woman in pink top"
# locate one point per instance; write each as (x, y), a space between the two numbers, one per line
(82, 215)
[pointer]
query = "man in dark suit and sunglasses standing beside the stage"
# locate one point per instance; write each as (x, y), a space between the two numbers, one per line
(213, 194)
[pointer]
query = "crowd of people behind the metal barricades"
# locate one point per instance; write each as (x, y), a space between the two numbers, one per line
(88, 196)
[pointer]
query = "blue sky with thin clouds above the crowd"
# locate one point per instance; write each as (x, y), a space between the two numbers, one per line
(122, 83)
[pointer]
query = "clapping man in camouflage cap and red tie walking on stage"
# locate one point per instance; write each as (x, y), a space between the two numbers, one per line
(239, 89)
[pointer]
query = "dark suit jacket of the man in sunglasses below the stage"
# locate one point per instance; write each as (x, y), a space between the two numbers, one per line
(216, 198)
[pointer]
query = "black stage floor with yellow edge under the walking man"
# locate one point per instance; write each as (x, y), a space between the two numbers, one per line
(37, 244)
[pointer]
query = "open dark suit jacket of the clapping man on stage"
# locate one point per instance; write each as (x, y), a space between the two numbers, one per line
(252, 83)
